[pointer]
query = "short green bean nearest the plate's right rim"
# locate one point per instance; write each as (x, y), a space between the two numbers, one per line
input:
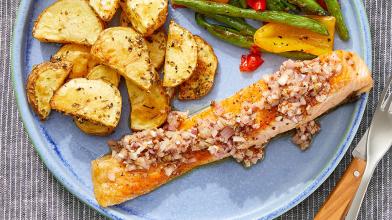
(334, 8)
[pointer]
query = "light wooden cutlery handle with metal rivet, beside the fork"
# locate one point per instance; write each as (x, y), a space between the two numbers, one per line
(336, 206)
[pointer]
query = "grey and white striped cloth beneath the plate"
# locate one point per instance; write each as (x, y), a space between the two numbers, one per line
(29, 191)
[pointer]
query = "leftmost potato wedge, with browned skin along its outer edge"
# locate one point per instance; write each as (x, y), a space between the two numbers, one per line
(43, 81)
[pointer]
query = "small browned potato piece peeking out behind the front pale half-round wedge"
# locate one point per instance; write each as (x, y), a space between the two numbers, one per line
(105, 73)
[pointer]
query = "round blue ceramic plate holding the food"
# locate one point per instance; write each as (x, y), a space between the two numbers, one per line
(222, 190)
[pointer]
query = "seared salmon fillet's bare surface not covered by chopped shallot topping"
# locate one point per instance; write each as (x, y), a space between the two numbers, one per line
(114, 183)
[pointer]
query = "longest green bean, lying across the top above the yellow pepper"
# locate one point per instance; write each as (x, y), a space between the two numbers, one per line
(207, 7)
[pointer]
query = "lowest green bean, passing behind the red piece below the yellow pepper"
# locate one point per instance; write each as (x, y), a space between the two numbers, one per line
(235, 38)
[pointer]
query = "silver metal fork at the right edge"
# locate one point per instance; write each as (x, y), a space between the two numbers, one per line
(379, 140)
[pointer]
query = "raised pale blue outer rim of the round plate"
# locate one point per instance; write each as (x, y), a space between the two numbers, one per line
(17, 50)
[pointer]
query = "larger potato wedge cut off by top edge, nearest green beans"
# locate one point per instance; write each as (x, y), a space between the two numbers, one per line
(146, 16)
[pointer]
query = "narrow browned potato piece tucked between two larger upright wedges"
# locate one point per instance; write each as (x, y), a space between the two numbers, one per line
(156, 44)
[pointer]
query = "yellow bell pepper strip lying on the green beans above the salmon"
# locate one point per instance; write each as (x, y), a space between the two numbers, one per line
(278, 38)
